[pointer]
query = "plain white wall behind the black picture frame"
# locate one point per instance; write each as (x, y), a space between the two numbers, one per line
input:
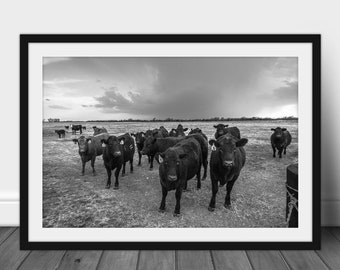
(190, 16)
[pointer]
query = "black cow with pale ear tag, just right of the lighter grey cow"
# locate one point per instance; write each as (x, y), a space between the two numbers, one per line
(117, 151)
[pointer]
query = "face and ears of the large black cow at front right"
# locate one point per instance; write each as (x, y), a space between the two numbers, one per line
(227, 147)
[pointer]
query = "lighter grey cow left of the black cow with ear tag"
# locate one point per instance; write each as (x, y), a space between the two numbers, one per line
(89, 149)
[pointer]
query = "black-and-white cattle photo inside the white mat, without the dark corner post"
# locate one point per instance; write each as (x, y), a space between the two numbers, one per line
(168, 141)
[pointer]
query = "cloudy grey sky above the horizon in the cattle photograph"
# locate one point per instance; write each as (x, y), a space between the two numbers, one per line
(114, 88)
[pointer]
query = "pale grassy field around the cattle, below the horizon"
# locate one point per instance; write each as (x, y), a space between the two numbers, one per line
(71, 200)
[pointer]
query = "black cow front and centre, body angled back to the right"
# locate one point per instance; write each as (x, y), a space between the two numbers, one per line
(179, 164)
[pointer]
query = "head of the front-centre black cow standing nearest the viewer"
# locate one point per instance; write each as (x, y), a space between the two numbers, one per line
(171, 161)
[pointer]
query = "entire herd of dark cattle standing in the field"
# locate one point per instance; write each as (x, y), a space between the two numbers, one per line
(180, 156)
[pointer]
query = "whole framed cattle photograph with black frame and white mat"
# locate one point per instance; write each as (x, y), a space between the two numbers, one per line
(170, 141)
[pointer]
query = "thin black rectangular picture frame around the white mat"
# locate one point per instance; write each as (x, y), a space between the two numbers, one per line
(27, 39)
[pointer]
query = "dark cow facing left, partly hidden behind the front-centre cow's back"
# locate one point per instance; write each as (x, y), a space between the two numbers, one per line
(154, 145)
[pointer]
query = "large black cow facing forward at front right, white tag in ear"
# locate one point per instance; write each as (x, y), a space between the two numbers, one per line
(226, 162)
